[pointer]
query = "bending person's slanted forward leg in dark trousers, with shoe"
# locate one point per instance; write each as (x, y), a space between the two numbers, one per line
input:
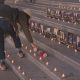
(8, 28)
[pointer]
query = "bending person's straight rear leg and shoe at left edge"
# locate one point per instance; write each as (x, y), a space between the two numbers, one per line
(4, 27)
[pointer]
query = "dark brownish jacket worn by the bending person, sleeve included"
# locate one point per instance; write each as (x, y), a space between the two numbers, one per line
(16, 16)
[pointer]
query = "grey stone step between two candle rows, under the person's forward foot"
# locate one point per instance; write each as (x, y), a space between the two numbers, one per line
(31, 69)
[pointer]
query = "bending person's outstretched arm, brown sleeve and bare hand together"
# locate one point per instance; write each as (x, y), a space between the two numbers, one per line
(24, 22)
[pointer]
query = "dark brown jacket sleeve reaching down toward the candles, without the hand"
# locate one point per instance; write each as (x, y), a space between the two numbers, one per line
(23, 20)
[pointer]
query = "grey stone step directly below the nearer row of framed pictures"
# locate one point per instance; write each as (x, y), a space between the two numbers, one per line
(60, 51)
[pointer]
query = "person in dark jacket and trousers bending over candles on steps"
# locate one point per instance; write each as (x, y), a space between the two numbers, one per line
(9, 18)
